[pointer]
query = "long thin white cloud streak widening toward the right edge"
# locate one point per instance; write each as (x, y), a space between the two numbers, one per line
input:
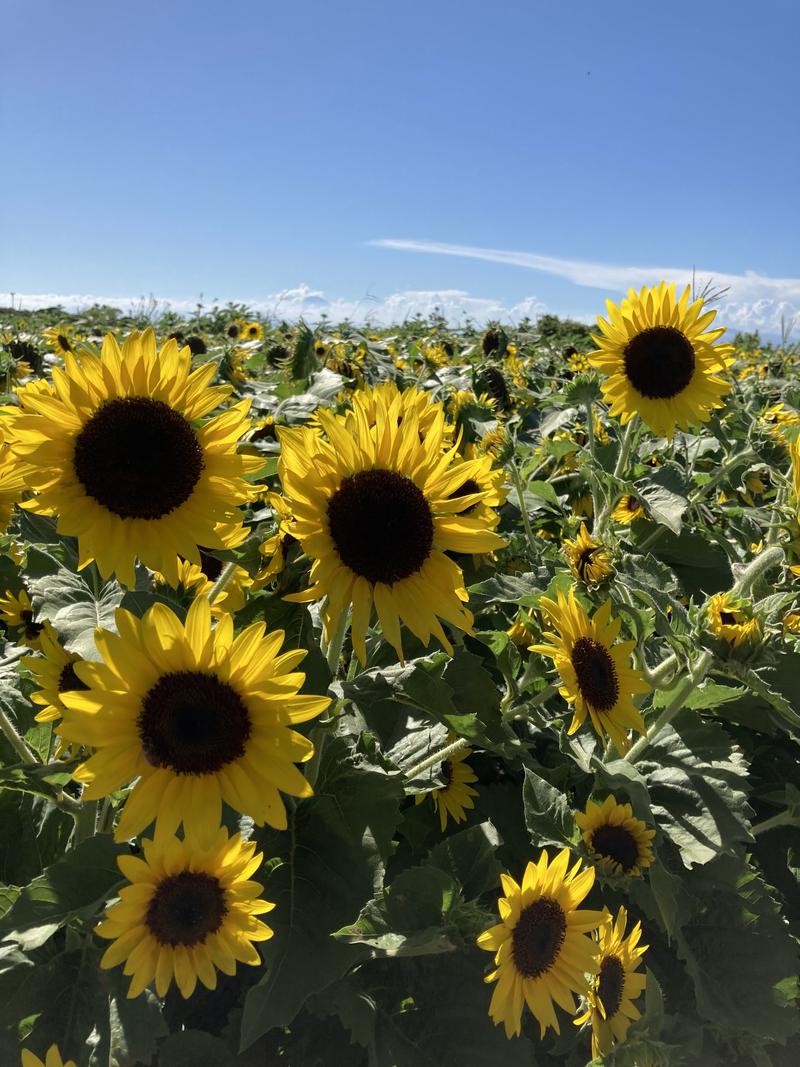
(753, 301)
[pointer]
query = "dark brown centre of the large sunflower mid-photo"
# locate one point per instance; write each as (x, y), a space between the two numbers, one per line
(381, 525)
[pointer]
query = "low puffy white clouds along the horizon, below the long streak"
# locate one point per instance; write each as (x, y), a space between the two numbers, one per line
(312, 305)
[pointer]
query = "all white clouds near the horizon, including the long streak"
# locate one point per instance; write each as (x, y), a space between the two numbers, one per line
(753, 302)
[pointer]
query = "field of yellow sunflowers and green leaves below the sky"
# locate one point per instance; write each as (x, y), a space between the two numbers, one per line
(410, 697)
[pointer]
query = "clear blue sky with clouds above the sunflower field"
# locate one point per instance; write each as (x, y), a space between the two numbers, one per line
(247, 150)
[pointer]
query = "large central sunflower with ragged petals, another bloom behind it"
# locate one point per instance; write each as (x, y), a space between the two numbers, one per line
(376, 506)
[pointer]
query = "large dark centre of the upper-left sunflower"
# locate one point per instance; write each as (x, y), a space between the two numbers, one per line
(138, 458)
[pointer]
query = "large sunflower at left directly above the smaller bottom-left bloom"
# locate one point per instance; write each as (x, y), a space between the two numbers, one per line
(197, 716)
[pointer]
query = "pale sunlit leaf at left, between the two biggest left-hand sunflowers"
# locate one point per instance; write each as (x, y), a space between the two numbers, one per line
(75, 603)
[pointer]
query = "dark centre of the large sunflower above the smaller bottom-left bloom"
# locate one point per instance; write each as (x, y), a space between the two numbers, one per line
(193, 724)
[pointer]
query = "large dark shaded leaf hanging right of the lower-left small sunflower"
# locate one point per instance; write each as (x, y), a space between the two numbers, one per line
(331, 863)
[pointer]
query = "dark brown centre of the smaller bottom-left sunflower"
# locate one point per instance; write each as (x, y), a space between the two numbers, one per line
(186, 909)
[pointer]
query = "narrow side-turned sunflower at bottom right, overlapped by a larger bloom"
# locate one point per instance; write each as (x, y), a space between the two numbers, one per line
(617, 985)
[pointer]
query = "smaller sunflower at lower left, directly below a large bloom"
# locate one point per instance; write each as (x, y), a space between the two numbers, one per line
(189, 911)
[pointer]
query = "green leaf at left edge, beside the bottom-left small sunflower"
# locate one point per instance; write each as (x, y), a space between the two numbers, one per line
(82, 880)
